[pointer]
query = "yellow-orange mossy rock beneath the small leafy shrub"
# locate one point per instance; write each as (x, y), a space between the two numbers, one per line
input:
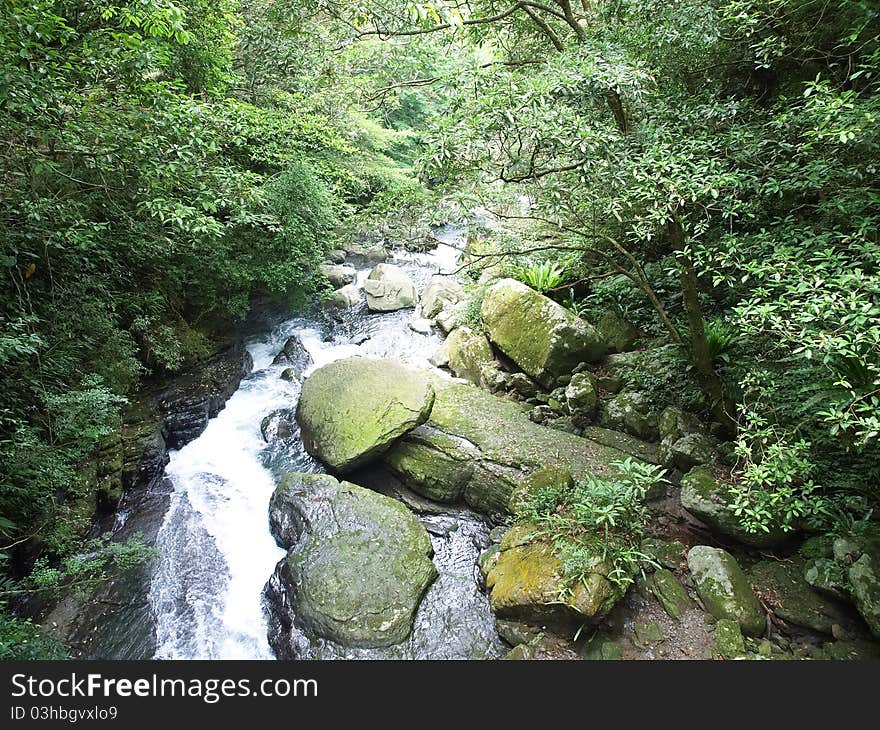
(527, 584)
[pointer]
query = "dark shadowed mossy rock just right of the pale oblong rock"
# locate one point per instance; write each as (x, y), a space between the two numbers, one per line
(791, 598)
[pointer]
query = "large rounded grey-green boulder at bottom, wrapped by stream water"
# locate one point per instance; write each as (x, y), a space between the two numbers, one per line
(358, 564)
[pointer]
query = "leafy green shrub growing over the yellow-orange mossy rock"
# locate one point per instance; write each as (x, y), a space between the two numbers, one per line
(597, 524)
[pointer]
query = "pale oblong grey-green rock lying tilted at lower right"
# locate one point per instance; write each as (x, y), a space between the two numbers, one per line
(724, 588)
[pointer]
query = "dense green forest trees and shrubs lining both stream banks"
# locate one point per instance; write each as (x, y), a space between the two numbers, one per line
(708, 169)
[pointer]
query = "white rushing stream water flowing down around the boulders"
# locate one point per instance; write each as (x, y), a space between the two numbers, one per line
(216, 553)
